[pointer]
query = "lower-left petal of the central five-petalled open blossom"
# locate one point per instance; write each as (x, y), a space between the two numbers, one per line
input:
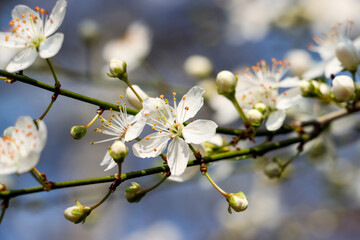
(146, 148)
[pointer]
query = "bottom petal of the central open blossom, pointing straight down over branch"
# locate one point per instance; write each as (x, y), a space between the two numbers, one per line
(177, 156)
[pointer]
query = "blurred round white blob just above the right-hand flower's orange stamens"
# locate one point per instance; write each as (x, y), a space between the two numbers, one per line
(300, 60)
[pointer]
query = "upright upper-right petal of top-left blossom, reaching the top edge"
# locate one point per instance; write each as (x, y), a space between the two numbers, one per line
(56, 18)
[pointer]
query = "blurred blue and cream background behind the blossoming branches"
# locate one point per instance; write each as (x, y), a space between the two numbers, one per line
(318, 198)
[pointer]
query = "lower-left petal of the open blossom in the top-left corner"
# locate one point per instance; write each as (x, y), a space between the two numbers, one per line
(22, 60)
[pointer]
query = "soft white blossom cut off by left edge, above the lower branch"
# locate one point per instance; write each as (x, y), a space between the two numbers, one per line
(21, 146)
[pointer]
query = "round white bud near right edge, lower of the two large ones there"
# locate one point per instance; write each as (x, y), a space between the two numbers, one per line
(343, 88)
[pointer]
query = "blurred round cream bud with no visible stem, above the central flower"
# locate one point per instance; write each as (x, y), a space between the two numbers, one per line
(198, 66)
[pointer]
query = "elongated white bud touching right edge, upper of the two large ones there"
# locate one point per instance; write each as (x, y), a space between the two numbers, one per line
(347, 54)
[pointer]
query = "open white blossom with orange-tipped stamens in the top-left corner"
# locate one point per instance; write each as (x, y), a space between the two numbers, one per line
(31, 33)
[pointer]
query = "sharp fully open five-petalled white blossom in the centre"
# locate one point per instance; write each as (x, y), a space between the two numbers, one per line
(169, 124)
